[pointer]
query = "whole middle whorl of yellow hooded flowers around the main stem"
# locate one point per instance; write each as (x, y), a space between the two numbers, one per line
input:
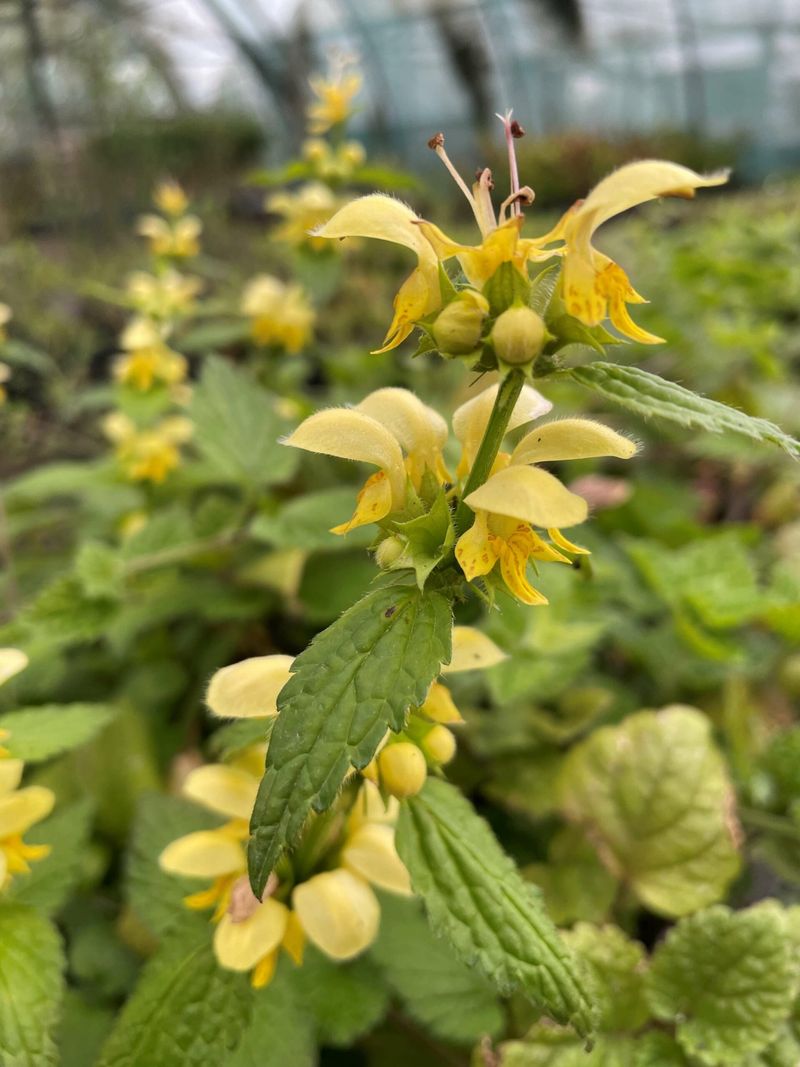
(392, 429)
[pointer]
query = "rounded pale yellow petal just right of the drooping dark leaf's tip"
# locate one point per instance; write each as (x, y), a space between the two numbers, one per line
(340, 913)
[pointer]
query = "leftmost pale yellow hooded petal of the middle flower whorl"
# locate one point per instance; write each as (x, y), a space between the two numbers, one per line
(353, 436)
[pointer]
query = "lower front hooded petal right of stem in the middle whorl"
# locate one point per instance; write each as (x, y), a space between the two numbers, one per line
(531, 496)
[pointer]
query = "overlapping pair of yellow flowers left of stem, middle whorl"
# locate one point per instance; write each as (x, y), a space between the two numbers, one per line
(385, 425)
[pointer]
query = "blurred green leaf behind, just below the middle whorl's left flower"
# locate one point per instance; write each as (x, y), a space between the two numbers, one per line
(306, 522)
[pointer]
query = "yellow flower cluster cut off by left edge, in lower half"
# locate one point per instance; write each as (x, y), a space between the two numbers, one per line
(21, 808)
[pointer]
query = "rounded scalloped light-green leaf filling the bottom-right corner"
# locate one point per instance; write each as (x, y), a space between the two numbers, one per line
(727, 980)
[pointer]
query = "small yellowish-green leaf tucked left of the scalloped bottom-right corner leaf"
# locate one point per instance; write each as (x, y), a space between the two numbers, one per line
(617, 967)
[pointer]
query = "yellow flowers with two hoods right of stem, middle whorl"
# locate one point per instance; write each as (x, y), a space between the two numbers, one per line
(519, 497)
